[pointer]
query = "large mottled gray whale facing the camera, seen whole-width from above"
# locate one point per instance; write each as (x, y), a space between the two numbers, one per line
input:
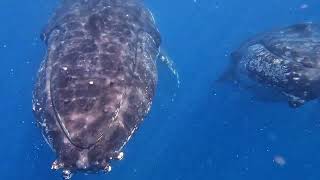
(97, 81)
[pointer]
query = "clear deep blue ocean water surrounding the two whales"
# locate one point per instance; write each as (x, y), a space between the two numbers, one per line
(206, 132)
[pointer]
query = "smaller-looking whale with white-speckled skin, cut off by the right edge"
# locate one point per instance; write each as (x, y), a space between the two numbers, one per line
(286, 60)
